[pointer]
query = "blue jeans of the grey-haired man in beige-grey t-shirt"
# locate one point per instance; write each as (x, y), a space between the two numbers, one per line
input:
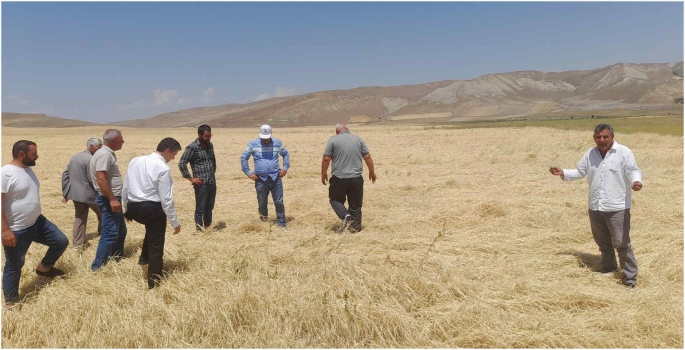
(112, 235)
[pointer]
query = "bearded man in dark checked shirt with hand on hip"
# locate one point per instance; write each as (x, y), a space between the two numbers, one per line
(200, 155)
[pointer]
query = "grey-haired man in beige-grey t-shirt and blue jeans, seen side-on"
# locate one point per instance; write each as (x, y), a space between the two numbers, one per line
(104, 172)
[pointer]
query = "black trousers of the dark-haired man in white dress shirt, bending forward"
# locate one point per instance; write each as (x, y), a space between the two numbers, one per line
(152, 216)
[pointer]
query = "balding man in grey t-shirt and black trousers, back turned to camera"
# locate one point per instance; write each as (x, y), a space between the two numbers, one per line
(346, 183)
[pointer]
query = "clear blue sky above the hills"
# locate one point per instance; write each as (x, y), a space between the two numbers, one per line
(115, 61)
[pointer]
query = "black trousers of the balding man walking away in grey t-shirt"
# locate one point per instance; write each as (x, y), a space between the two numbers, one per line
(351, 190)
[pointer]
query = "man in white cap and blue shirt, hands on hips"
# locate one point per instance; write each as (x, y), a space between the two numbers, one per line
(267, 172)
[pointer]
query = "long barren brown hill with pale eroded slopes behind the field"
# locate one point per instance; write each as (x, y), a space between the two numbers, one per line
(632, 88)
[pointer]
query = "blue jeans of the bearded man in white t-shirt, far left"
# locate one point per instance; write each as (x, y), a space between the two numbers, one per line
(43, 232)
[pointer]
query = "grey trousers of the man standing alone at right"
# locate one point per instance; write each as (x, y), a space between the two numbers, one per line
(611, 230)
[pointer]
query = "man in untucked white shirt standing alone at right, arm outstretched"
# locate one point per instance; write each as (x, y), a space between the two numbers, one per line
(612, 172)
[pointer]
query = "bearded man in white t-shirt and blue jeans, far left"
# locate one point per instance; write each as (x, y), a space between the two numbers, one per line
(22, 222)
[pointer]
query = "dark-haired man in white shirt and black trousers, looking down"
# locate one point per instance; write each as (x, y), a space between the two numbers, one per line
(148, 198)
